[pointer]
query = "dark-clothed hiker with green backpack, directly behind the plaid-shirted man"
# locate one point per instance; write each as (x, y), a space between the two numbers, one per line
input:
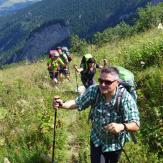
(87, 69)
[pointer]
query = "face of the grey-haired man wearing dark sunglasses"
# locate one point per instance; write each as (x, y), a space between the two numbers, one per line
(107, 83)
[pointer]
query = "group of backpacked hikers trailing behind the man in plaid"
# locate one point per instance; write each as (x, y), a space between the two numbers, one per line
(58, 66)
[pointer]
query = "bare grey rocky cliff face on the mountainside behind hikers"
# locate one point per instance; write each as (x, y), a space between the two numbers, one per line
(41, 40)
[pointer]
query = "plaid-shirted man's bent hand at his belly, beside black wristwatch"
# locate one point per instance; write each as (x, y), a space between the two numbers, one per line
(114, 127)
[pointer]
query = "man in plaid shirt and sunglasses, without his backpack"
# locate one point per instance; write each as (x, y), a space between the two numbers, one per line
(109, 129)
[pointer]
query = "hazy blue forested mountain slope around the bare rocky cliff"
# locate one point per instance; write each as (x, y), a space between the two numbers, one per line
(82, 17)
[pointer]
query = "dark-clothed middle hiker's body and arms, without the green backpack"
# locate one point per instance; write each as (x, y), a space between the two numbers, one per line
(88, 73)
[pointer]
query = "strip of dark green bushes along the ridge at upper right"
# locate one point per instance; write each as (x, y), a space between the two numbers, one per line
(147, 18)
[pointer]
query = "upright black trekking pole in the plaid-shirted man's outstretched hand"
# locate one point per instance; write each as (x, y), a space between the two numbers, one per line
(54, 133)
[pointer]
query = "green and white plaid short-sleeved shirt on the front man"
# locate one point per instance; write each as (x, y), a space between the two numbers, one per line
(103, 113)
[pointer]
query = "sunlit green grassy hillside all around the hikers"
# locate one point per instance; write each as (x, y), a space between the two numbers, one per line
(26, 113)
